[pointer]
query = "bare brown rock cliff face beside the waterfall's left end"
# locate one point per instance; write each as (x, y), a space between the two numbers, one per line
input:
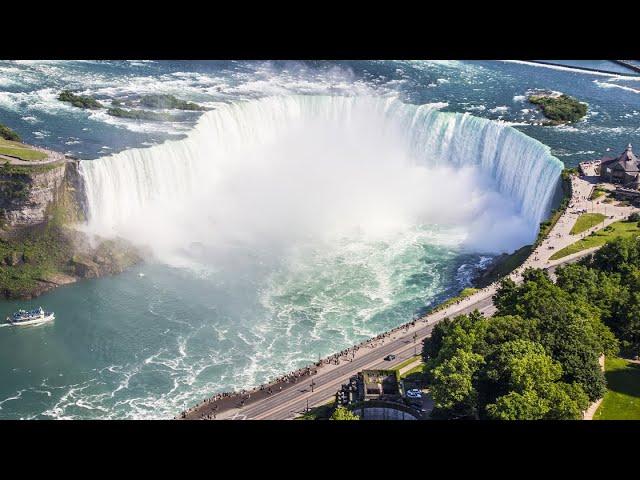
(29, 196)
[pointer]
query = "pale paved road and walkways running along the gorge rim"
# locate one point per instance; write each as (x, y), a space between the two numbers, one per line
(291, 401)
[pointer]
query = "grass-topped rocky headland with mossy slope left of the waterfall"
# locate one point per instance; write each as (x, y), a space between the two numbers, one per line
(41, 201)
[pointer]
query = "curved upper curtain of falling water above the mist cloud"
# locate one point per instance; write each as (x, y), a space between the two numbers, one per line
(126, 182)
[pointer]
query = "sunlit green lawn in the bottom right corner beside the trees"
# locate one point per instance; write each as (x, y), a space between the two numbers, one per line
(622, 400)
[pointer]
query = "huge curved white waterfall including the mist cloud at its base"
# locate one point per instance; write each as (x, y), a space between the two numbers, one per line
(270, 171)
